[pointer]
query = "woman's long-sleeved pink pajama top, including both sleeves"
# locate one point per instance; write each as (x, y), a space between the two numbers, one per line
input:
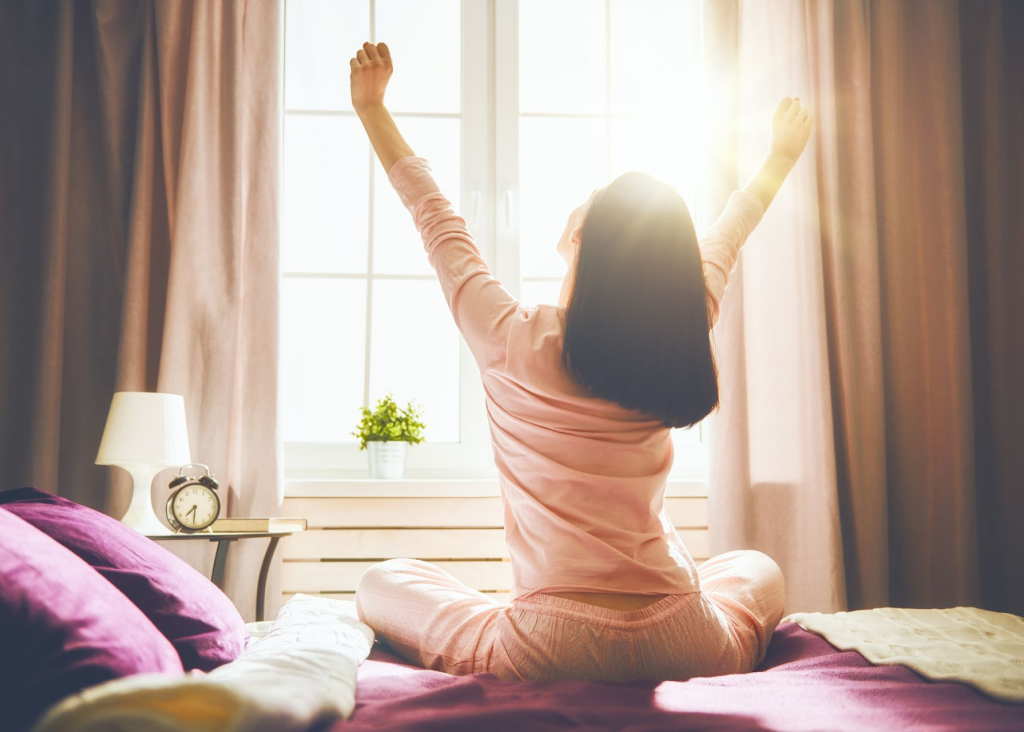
(582, 480)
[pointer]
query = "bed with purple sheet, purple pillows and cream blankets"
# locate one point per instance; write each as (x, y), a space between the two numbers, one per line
(143, 641)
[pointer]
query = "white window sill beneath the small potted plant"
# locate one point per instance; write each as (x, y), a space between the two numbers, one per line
(435, 489)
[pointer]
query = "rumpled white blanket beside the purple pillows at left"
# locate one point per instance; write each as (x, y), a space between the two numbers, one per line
(301, 674)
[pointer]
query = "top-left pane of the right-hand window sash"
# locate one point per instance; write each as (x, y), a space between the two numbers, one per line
(563, 57)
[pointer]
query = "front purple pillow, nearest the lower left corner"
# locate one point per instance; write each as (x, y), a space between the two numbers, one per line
(63, 627)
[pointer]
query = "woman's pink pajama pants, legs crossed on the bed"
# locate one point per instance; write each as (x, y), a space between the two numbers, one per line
(431, 619)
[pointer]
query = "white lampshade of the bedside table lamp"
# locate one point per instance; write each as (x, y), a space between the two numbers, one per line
(146, 428)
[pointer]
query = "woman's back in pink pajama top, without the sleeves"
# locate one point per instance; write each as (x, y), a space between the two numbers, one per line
(583, 480)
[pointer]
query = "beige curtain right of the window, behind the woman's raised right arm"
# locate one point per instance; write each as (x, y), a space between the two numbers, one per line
(851, 339)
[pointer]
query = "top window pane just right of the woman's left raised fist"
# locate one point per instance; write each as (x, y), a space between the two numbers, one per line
(425, 38)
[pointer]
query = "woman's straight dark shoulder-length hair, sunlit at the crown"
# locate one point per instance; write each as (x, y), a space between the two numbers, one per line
(637, 329)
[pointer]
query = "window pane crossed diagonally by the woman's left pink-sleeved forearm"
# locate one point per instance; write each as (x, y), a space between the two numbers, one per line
(398, 247)
